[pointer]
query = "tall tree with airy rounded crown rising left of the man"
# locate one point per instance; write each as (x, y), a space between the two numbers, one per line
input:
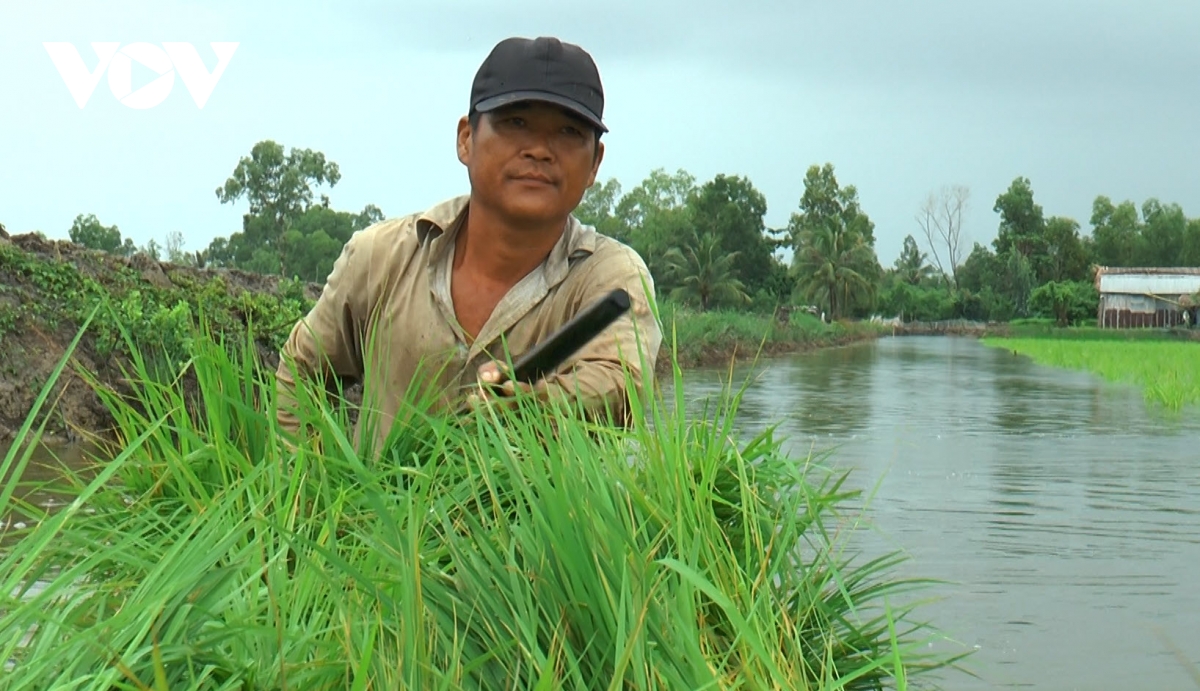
(279, 189)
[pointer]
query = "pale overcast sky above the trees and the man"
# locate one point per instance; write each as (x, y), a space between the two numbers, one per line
(1084, 98)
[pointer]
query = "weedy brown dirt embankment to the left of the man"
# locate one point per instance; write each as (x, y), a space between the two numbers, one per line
(46, 285)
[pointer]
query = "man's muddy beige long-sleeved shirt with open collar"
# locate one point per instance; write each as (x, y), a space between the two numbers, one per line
(386, 317)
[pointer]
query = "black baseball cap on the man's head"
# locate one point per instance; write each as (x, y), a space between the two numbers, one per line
(541, 70)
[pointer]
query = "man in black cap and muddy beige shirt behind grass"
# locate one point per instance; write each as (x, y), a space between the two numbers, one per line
(424, 307)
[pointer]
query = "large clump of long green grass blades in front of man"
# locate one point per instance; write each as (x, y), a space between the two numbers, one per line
(513, 550)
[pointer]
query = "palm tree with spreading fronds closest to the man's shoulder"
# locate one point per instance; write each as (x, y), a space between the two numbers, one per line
(703, 273)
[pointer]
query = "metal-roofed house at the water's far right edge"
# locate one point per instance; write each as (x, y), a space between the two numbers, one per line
(1148, 297)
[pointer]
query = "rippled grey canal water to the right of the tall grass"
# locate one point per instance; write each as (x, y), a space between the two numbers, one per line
(1064, 510)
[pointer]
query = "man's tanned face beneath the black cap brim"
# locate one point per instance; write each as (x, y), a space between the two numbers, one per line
(531, 161)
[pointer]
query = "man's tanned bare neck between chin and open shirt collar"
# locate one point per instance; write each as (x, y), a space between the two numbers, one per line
(491, 248)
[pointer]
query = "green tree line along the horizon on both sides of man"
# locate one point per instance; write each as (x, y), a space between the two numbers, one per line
(707, 244)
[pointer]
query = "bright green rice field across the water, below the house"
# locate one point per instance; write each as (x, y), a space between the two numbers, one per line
(1167, 372)
